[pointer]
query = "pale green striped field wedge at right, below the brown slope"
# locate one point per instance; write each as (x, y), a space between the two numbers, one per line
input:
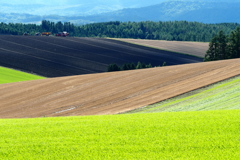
(221, 96)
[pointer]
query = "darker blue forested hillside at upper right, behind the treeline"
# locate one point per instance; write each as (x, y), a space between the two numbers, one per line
(200, 11)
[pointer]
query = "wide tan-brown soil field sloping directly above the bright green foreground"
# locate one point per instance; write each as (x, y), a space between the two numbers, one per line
(109, 93)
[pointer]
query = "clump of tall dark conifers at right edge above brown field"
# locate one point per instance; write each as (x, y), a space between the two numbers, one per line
(224, 46)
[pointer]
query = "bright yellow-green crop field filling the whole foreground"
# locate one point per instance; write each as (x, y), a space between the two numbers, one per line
(176, 135)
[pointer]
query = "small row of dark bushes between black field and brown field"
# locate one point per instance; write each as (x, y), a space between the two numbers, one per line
(129, 66)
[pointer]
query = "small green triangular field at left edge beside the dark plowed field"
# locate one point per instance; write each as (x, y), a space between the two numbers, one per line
(10, 75)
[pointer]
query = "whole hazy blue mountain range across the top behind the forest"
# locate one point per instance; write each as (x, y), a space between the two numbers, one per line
(195, 10)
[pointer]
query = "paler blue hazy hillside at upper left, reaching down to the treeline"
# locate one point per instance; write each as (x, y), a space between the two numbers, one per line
(27, 11)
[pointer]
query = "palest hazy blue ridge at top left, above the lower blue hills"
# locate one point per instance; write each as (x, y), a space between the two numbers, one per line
(70, 7)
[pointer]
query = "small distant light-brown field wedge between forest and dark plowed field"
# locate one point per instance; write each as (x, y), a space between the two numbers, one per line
(192, 48)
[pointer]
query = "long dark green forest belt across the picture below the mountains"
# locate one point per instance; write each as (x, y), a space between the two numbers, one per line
(171, 30)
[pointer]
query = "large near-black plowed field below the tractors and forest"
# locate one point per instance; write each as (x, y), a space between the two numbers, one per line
(57, 56)
